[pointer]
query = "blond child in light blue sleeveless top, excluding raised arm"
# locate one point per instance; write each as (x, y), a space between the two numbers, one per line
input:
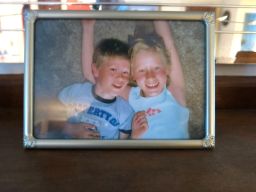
(160, 115)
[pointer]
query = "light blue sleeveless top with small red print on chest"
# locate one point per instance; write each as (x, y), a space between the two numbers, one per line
(167, 119)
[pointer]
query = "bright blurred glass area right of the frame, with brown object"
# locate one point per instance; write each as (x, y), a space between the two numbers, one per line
(236, 37)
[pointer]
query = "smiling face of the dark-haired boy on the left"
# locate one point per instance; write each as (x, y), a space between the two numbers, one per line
(111, 76)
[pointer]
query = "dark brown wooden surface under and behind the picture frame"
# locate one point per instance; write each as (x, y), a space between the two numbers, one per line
(229, 167)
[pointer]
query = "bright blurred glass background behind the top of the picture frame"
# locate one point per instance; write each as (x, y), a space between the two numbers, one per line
(231, 33)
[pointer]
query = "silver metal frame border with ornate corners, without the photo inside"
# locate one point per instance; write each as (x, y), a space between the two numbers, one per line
(207, 142)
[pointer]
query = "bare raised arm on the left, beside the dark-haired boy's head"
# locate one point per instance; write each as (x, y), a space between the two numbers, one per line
(87, 49)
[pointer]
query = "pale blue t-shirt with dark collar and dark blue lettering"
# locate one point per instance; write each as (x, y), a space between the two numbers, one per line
(109, 116)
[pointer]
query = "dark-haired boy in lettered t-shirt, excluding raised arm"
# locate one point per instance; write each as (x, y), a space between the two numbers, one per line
(97, 110)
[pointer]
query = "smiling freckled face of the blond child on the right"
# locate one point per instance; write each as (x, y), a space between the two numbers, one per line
(149, 72)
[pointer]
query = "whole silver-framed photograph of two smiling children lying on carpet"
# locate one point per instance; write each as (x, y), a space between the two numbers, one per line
(119, 79)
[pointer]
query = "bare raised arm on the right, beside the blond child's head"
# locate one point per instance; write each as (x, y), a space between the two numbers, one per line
(177, 83)
